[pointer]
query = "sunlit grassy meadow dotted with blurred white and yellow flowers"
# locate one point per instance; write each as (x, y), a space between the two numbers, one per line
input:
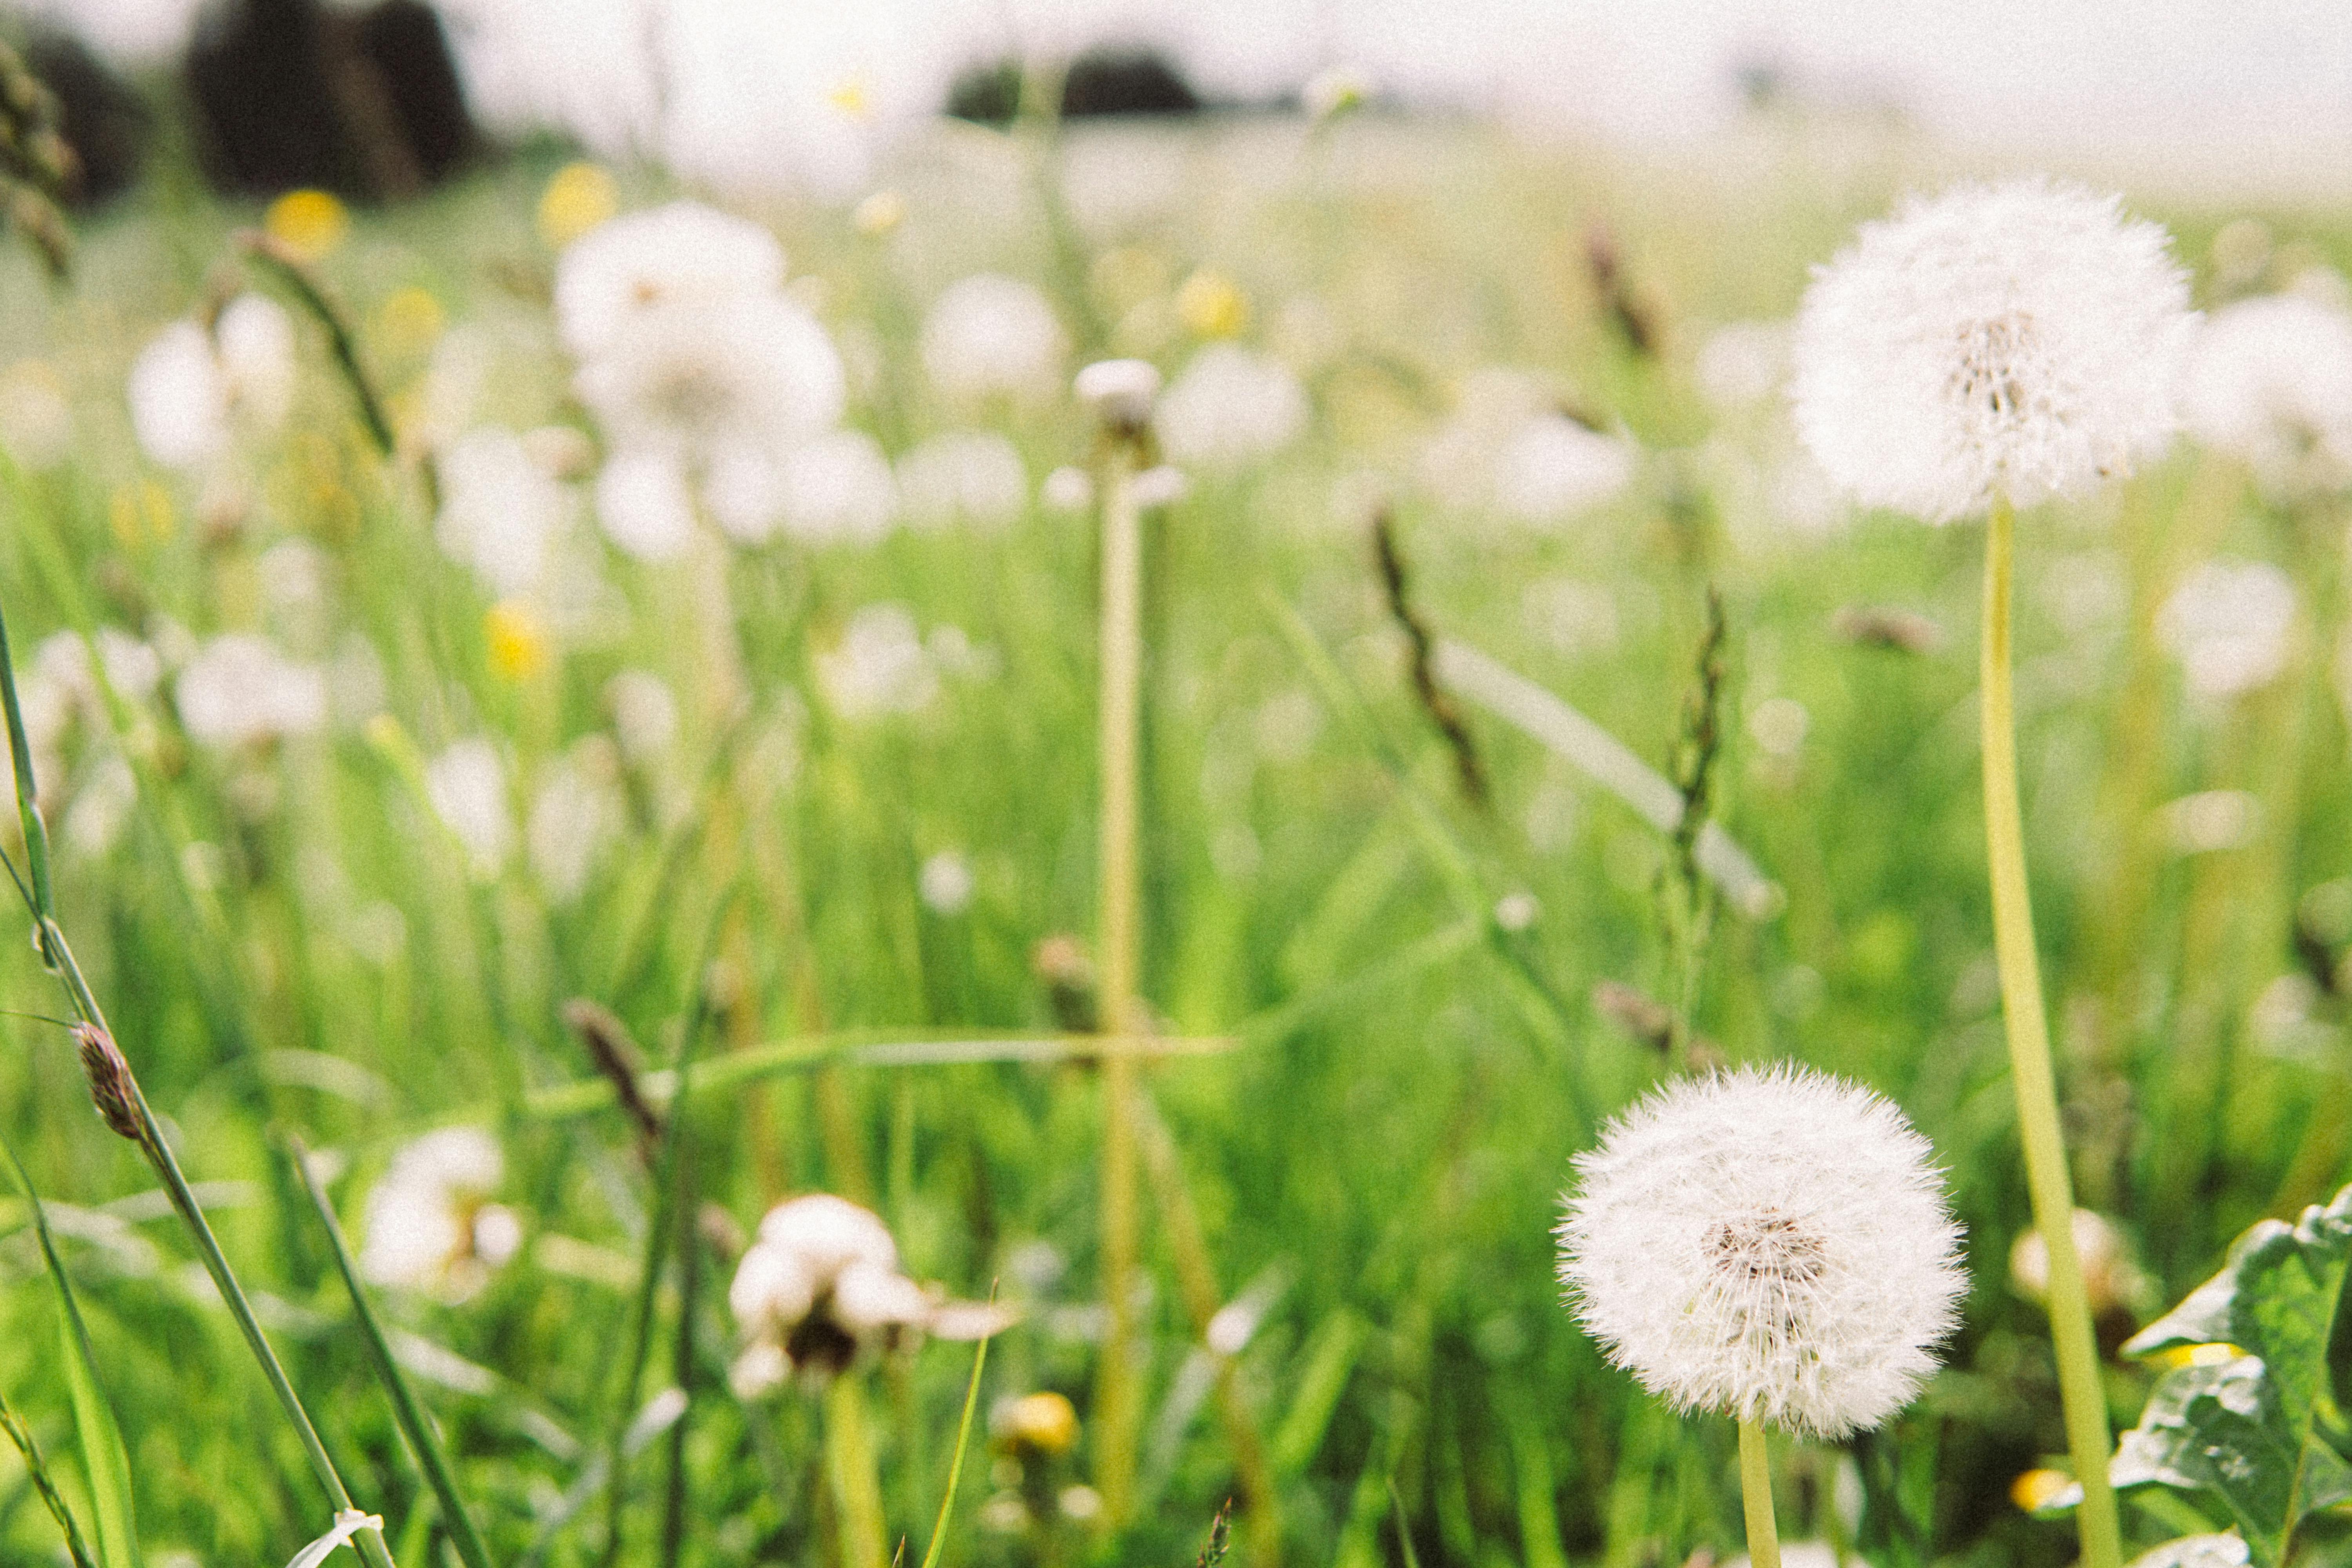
(582, 876)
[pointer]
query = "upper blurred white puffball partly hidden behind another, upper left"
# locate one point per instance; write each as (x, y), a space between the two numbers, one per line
(639, 262)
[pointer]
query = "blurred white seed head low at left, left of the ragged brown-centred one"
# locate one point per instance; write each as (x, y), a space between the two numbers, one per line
(432, 1224)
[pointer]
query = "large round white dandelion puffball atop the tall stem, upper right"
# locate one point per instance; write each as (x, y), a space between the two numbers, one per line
(2014, 340)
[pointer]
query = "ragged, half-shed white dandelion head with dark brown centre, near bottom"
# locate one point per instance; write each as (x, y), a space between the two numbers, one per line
(822, 1285)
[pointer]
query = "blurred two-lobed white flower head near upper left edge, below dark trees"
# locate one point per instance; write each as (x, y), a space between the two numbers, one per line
(194, 389)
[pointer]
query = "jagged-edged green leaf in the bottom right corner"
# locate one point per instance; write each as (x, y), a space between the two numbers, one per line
(2259, 1426)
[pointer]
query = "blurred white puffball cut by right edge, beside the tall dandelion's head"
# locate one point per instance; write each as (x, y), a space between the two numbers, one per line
(2271, 382)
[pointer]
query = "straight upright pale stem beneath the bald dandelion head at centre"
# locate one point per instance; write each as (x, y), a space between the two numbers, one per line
(1121, 744)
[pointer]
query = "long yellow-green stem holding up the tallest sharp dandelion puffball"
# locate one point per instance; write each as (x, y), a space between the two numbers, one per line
(2031, 1066)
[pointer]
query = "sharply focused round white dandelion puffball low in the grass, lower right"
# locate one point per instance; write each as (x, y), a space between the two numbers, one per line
(1768, 1245)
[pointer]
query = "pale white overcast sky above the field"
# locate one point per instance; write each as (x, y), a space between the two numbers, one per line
(751, 81)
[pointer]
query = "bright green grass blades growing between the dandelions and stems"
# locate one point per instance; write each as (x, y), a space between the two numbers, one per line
(1382, 1148)
